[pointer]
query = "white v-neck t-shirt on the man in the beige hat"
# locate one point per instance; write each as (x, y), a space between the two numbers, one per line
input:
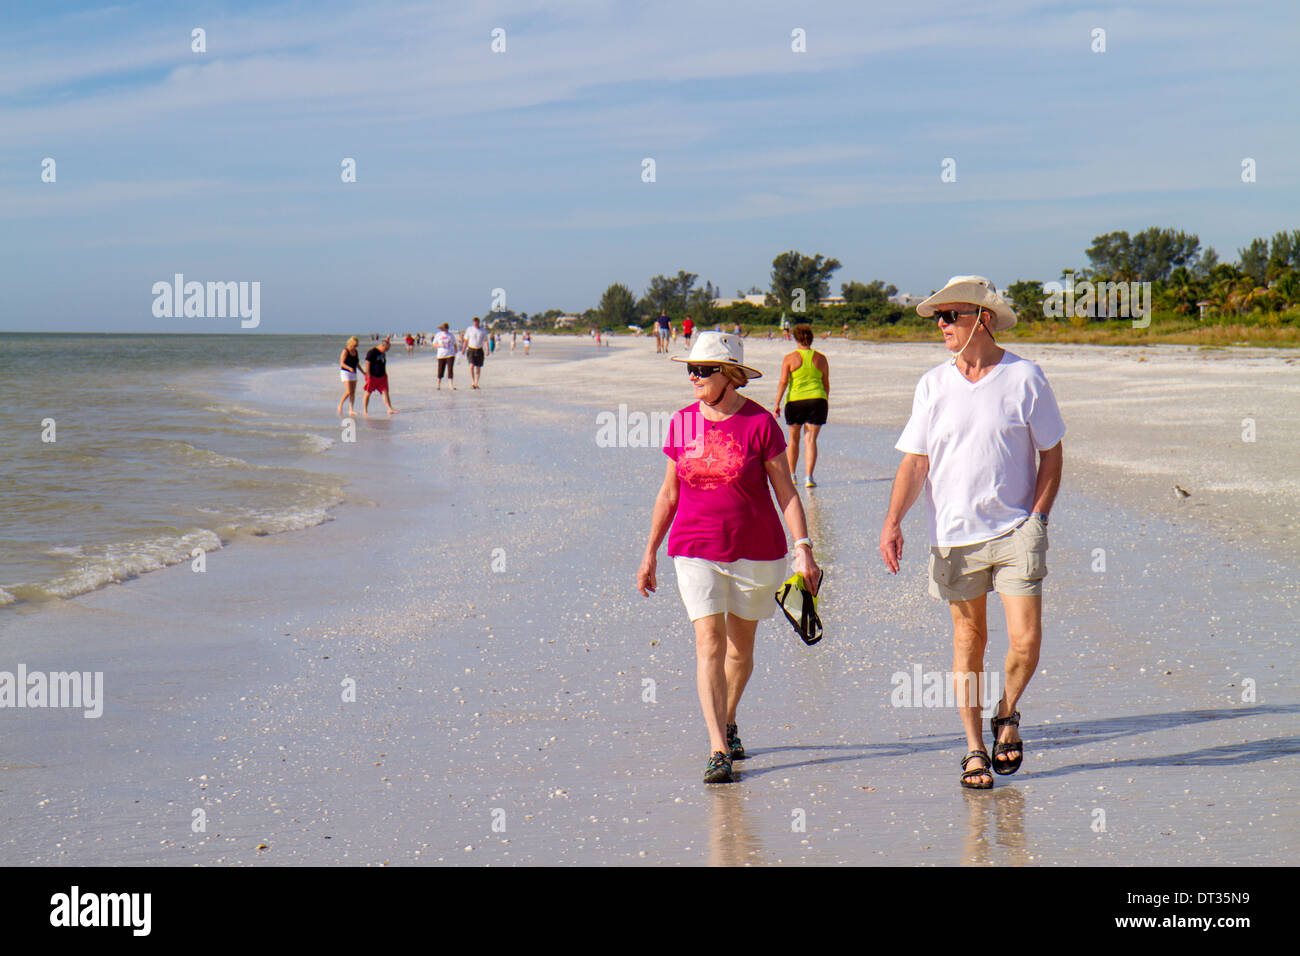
(982, 440)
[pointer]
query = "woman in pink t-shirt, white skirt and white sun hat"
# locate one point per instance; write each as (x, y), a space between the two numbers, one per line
(727, 543)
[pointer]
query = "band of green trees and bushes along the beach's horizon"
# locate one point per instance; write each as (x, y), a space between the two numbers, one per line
(1195, 299)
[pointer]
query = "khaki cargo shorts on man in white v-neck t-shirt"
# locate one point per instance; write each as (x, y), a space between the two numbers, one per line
(1012, 564)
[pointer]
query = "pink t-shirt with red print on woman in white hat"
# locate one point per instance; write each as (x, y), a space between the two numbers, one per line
(725, 507)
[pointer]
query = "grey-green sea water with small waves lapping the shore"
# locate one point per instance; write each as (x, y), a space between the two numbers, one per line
(153, 455)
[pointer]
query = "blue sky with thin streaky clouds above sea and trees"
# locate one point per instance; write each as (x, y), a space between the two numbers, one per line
(523, 170)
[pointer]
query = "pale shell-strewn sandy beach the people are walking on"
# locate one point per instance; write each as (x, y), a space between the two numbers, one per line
(502, 716)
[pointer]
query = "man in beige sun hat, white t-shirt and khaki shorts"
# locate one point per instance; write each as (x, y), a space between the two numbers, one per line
(985, 443)
